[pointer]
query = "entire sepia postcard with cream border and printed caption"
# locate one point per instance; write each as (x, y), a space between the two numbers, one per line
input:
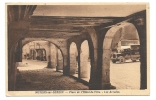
(77, 49)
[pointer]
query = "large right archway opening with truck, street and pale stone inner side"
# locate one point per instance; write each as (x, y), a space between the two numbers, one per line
(121, 65)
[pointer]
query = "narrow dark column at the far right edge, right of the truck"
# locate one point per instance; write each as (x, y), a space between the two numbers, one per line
(140, 25)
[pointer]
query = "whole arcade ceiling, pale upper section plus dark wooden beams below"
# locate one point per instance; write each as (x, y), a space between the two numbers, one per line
(66, 21)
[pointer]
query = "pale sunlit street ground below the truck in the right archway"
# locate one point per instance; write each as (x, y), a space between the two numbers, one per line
(126, 75)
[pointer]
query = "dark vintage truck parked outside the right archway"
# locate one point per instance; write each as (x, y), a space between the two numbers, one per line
(126, 54)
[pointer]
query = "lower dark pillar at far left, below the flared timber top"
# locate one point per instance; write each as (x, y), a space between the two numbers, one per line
(14, 37)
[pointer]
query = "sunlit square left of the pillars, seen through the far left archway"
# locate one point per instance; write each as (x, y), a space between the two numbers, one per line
(34, 55)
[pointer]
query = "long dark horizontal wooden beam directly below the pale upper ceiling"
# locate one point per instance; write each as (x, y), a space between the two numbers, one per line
(69, 21)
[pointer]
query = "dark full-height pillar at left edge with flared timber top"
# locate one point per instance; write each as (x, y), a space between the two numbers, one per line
(18, 26)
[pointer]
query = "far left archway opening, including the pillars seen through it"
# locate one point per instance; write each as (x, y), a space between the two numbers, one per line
(42, 51)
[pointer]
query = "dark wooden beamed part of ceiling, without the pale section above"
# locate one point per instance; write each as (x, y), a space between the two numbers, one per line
(64, 27)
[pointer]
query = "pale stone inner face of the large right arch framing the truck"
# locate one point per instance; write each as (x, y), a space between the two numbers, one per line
(113, 36)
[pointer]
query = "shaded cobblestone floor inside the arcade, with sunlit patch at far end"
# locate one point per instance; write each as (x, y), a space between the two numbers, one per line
(46, 79)
